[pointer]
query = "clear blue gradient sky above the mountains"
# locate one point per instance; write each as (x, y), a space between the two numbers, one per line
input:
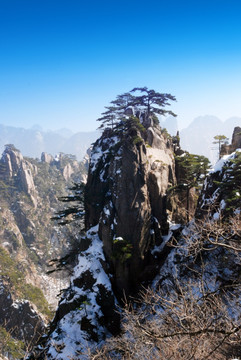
(62, 61)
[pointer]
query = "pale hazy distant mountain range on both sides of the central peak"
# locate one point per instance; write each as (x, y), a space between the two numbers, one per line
(197, 138)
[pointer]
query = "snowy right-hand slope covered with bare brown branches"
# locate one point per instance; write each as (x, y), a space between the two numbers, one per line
(193, 308)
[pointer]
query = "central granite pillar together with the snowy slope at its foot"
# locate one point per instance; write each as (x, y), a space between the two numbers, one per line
(128, 211)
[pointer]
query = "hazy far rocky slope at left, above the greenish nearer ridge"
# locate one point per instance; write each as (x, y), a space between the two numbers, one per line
(29, 198)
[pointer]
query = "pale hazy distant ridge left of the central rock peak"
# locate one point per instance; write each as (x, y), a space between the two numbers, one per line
(32, 142)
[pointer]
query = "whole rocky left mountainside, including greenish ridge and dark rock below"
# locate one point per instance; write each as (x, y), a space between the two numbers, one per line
(29, 239)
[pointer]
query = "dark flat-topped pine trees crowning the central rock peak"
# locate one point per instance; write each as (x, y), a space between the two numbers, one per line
(148, 102)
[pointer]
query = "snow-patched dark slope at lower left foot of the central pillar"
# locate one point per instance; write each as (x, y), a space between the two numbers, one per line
(80, 316)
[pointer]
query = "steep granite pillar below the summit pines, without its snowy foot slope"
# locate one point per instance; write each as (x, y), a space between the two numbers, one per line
(126, 194)
